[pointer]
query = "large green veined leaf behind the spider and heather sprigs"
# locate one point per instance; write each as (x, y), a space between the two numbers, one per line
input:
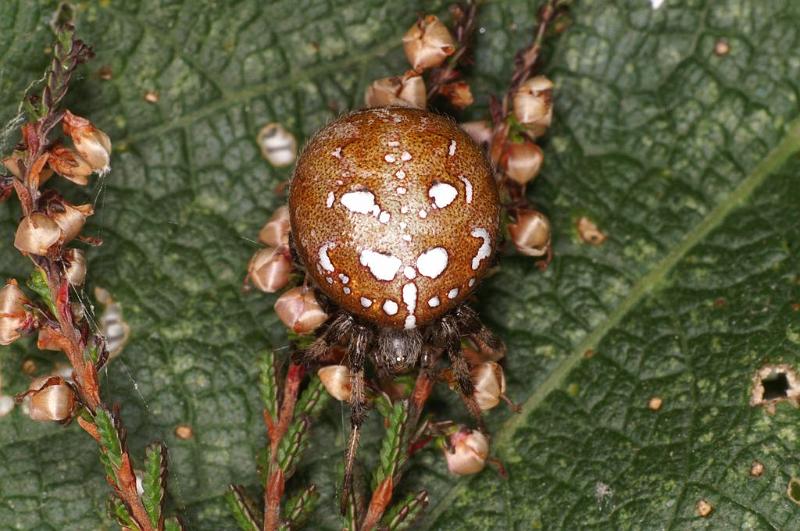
(686, 159)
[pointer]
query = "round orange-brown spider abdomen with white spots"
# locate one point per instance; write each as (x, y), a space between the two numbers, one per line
(394, 213)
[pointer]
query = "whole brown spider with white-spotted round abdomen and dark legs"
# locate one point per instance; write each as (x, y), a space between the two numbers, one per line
(394, 218)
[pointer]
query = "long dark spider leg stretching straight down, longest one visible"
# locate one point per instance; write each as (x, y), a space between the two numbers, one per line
(360, 342)
